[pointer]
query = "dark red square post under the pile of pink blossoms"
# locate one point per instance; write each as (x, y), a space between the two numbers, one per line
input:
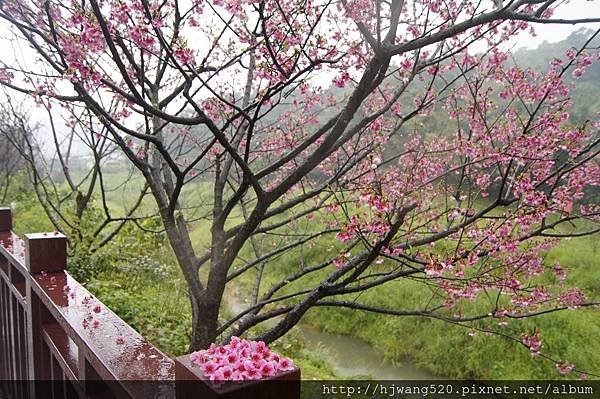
(191, 383)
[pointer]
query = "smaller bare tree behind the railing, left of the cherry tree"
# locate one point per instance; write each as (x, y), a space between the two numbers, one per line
(71, 188)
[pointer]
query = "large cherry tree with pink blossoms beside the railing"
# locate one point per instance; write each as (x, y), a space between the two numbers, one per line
(235, 96)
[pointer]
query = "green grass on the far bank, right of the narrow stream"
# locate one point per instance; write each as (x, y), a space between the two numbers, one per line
(447, 349)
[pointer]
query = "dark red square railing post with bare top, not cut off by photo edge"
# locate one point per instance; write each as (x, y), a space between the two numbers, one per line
(44, 253)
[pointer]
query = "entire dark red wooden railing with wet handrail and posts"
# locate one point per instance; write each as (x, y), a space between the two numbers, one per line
(58, 341)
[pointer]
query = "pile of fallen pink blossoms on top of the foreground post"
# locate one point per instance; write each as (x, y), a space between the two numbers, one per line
(239, 360)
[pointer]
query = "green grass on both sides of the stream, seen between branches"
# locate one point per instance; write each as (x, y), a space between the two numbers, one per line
(146, 289)
